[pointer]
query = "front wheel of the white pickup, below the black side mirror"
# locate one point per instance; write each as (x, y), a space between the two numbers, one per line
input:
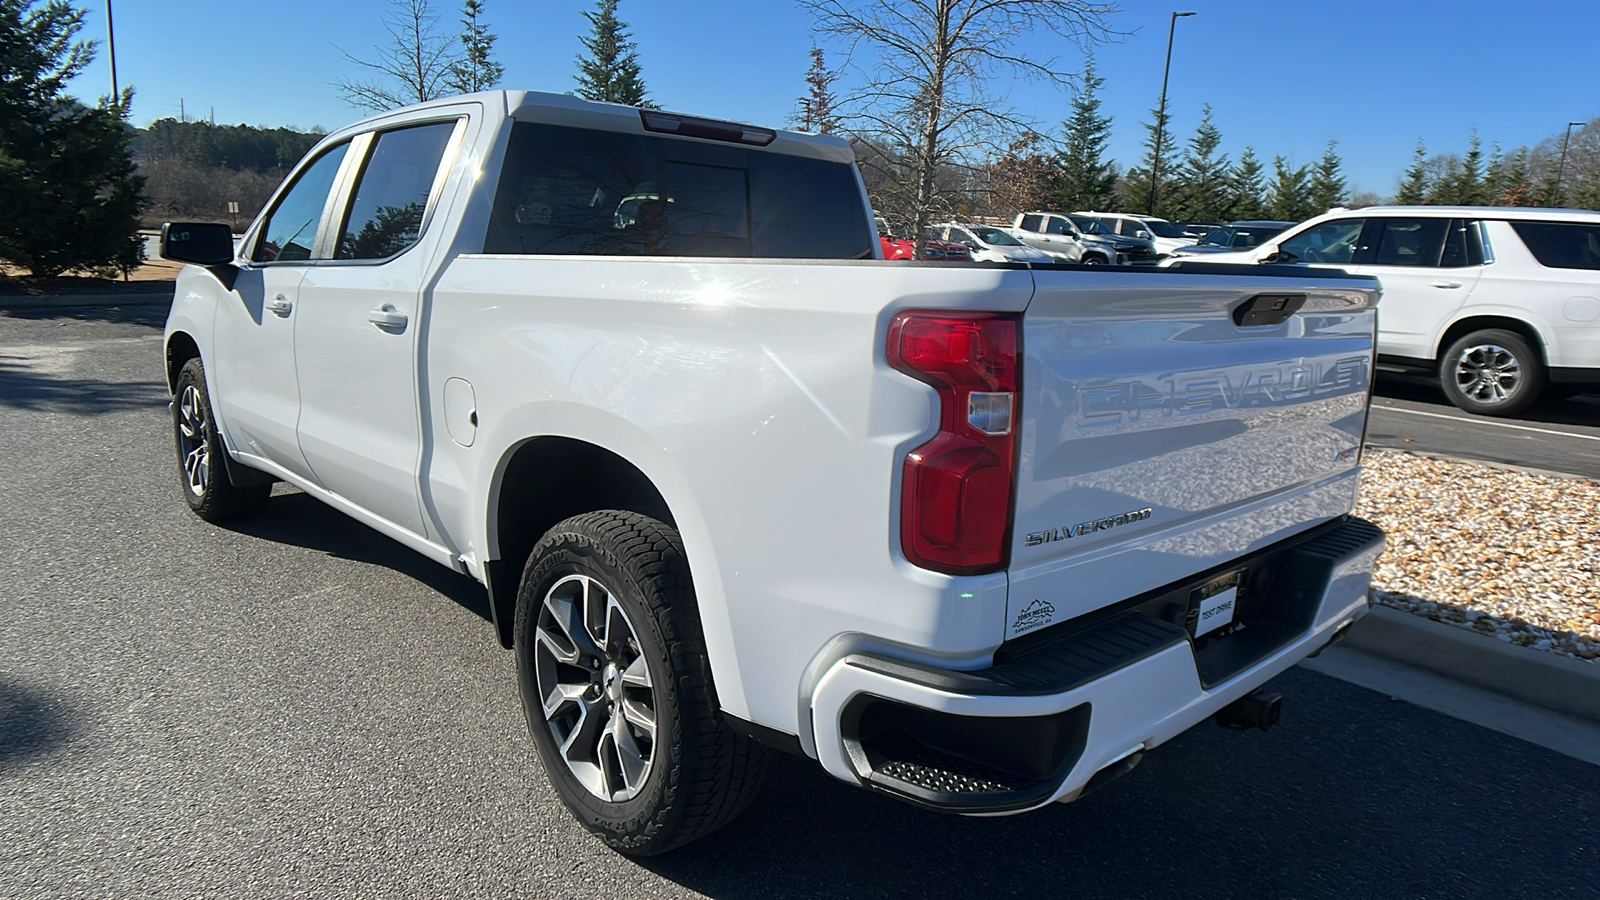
(202, 460)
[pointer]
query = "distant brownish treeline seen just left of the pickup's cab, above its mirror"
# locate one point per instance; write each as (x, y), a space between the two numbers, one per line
(196, 169)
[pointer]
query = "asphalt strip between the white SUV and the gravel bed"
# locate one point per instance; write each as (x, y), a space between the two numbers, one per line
(1564, 436)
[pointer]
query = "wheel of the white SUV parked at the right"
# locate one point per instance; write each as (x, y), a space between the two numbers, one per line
(1492, 374)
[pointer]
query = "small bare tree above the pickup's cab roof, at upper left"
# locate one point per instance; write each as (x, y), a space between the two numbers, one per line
(412, 68)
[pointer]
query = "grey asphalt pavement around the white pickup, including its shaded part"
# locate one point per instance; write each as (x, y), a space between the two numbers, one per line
(300, 707)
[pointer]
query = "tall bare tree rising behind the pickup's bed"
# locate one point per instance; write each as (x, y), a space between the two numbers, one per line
(930, 66)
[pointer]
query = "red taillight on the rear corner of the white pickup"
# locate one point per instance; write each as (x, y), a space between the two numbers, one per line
(956, 494)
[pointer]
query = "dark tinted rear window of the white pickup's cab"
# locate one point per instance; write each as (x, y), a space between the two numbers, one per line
(575, 191)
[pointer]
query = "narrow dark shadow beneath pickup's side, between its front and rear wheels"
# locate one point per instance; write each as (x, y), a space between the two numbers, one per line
(298, 520)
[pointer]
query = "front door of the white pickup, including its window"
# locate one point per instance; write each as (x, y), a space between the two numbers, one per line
(252, 364)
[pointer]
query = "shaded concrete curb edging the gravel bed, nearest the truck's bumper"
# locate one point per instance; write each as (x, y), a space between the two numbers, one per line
(1530, 677)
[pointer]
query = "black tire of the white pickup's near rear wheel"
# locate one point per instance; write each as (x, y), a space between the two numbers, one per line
(700, 774)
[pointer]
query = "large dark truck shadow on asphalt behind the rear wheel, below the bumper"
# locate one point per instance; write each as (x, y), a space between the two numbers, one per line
(1353, 797)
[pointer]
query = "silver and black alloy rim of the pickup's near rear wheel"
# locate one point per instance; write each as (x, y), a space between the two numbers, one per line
(596, 688)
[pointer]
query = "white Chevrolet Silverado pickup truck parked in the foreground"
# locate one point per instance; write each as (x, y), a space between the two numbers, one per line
(975, 537)
